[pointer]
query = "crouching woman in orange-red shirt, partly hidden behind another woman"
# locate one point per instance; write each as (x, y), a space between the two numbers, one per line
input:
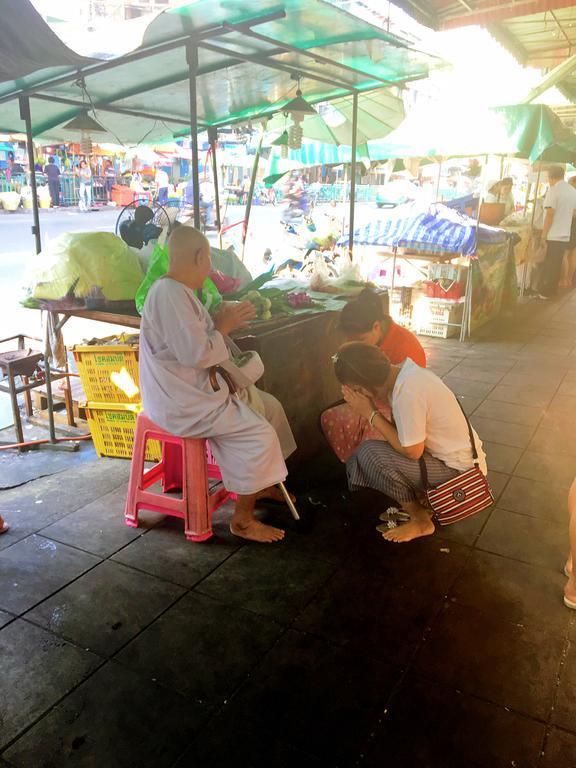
(363, 319)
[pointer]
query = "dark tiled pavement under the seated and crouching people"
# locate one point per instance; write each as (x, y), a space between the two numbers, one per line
(134, 648)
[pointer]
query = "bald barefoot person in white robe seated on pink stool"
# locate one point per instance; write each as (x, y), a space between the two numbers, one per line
(179, 343)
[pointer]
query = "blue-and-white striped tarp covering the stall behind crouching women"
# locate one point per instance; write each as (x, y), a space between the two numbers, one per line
(435, 229)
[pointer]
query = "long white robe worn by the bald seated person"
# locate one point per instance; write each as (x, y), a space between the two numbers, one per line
(178, 346)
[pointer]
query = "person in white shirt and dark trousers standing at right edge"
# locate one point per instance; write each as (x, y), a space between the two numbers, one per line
(559, 207)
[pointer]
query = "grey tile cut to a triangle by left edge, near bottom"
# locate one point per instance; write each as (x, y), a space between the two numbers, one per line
(37, 670)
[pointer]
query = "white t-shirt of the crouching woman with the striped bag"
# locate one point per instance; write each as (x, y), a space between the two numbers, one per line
(426, 411)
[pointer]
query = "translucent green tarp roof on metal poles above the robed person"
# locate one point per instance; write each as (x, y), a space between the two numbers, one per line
(229, 90)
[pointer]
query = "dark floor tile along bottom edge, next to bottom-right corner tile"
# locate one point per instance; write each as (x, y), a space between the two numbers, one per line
(447, 732)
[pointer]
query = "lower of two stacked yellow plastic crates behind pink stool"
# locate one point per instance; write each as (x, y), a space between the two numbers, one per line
(112, 428)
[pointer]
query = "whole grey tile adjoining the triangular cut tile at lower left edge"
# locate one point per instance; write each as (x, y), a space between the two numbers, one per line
(106, 607)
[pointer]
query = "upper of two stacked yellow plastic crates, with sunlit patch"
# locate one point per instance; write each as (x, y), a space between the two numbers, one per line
(109, 373)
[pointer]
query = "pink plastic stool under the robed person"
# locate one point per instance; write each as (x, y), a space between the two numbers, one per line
(186, 464)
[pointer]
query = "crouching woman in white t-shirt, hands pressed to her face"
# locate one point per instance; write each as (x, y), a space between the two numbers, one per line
(429, 423)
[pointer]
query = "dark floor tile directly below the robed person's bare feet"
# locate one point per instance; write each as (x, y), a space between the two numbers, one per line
(267, 580)
